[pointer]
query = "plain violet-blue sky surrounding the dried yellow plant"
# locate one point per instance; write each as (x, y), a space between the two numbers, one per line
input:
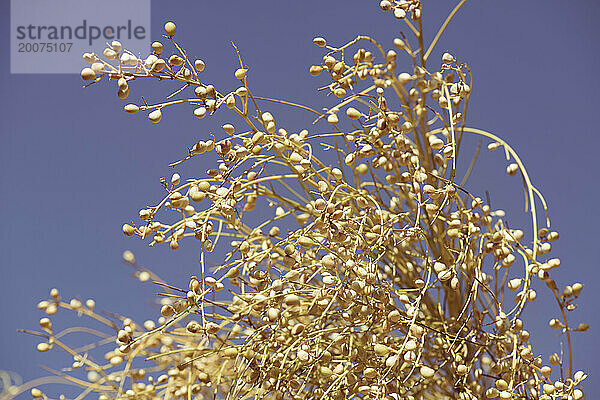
(74, 167)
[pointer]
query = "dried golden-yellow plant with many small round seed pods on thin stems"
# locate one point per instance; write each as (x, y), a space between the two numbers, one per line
(371, 273)
